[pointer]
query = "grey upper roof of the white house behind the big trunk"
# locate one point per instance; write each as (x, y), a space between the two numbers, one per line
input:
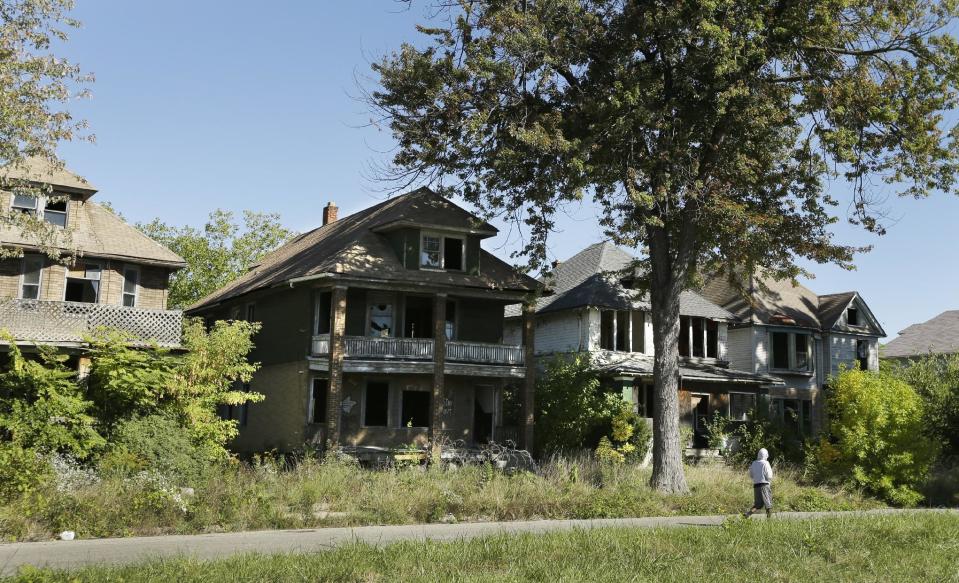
(592, 278)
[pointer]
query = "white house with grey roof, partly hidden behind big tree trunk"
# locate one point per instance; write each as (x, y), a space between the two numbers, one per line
(593, 309)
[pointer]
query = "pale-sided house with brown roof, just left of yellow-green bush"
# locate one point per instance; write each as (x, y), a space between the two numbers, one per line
(802, 338)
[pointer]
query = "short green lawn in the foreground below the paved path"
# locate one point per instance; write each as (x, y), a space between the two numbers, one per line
(884, 548)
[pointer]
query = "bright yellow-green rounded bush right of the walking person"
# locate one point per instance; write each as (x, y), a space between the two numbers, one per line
(876, 437)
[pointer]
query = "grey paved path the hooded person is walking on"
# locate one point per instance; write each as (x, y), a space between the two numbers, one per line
(77, 553)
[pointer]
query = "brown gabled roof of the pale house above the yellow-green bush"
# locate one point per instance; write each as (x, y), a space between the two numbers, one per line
(779, 302)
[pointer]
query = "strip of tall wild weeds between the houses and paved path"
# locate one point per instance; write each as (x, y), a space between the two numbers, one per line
(337, 493)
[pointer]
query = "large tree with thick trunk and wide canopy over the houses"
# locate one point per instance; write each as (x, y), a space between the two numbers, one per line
(709, 131)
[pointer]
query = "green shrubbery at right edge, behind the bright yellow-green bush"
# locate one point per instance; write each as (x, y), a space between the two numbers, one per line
(936, 378)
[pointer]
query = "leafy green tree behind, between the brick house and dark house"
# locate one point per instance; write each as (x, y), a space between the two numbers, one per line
(217, 254)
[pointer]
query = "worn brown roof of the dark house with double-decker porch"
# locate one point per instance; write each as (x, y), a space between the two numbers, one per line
(353, 247)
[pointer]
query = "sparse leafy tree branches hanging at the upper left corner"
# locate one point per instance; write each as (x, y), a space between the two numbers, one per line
(35, 87)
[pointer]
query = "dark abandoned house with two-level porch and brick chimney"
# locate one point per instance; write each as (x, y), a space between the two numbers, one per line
(380, 329)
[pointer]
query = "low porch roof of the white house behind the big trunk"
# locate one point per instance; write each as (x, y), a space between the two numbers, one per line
(632, 363)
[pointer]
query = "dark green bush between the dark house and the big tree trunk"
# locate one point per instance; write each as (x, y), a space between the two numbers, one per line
(572, 409)
